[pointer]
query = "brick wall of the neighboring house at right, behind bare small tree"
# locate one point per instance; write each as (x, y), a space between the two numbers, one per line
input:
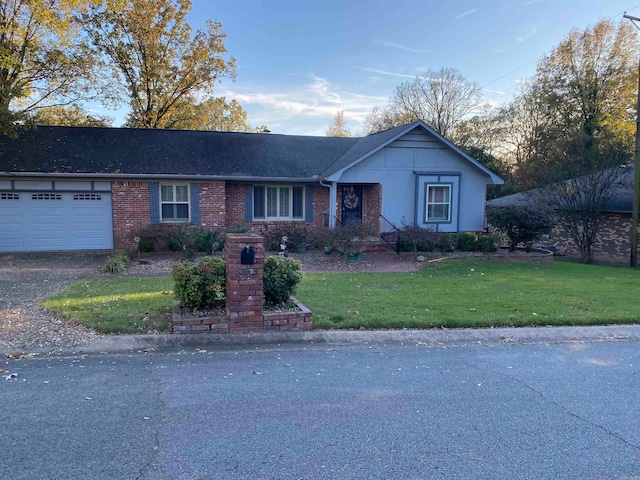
(613, 243)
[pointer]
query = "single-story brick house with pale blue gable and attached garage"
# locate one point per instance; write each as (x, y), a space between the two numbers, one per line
(68, 188)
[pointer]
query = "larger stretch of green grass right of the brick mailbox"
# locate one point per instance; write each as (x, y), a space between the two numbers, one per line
(474, 293)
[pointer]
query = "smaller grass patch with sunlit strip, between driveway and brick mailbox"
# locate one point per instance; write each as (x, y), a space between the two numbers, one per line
(117, 305)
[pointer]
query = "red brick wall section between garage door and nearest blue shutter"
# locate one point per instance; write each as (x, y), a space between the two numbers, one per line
(131, 210)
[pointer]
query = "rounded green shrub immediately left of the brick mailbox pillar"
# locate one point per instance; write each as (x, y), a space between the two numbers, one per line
(200, 285)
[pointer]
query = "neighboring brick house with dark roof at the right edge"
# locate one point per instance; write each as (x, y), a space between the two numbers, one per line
(613, 242)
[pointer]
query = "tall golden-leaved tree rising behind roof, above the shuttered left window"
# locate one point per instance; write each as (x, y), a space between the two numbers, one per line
(151, 50)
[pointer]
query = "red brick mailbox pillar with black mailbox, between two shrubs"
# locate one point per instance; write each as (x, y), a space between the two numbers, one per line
(244, 256)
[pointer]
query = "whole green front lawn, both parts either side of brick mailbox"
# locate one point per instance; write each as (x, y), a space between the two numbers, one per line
(452, 294)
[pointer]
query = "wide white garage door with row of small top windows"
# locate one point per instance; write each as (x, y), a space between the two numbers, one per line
(48, 221)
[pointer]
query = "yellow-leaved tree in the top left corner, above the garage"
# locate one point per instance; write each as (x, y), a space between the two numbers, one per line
(42, 60)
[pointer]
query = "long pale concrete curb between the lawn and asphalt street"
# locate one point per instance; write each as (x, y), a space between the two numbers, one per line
(359, 338)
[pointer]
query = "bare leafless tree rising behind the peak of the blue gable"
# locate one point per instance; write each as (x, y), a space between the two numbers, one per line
(441, 98)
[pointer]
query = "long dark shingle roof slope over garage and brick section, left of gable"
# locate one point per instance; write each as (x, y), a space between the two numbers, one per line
(179, 152)
